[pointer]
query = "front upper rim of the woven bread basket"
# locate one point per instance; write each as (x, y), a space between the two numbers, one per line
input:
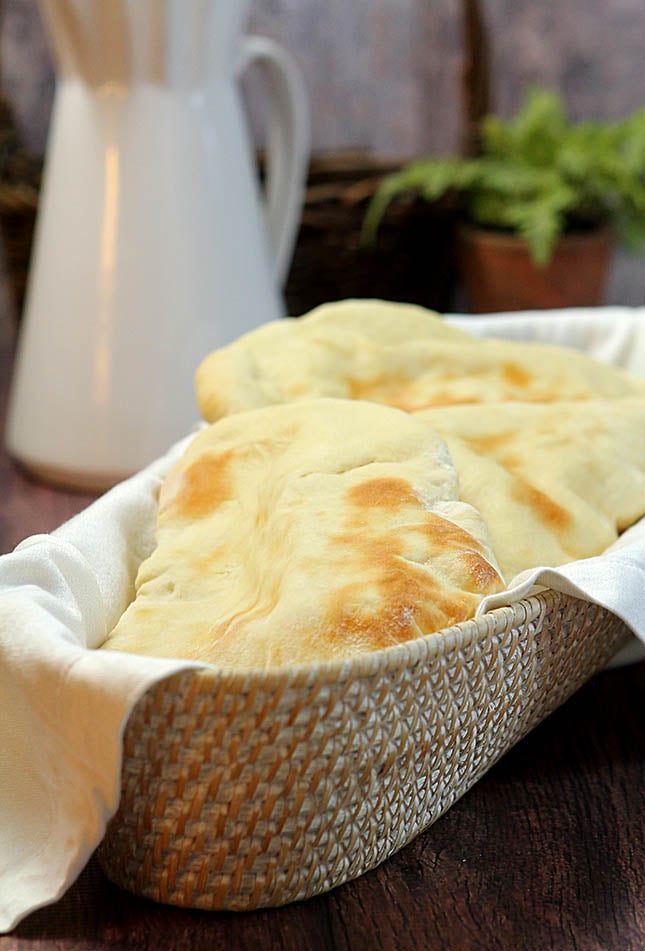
(365, 665)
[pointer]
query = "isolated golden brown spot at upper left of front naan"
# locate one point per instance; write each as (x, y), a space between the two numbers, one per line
(201, 487)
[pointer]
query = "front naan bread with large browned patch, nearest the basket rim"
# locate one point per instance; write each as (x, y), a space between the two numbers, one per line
(306, 532)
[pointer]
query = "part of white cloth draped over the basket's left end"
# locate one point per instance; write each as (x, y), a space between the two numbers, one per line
(63, 705)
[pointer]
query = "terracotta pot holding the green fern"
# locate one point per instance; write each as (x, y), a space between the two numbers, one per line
(499, 275)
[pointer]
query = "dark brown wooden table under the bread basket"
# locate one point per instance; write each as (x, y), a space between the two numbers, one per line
(546, 852)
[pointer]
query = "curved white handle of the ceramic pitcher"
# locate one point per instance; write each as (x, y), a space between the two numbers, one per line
(287, 144)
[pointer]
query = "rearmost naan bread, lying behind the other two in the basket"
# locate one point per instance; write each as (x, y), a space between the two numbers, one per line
(398, 354)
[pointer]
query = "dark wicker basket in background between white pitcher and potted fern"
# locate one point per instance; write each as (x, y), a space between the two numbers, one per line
(412, 259)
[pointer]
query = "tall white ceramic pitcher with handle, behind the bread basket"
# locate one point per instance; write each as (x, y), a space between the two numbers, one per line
(152, 245)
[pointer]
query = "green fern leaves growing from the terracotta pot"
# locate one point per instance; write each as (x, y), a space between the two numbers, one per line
(538, 175)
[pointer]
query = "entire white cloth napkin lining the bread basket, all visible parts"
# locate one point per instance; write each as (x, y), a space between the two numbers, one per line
(63, 705)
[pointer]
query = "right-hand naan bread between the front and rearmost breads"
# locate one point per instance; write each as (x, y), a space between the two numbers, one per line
(554, 482)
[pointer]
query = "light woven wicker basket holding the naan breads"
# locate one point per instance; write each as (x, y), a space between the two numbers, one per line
(245, 790)
